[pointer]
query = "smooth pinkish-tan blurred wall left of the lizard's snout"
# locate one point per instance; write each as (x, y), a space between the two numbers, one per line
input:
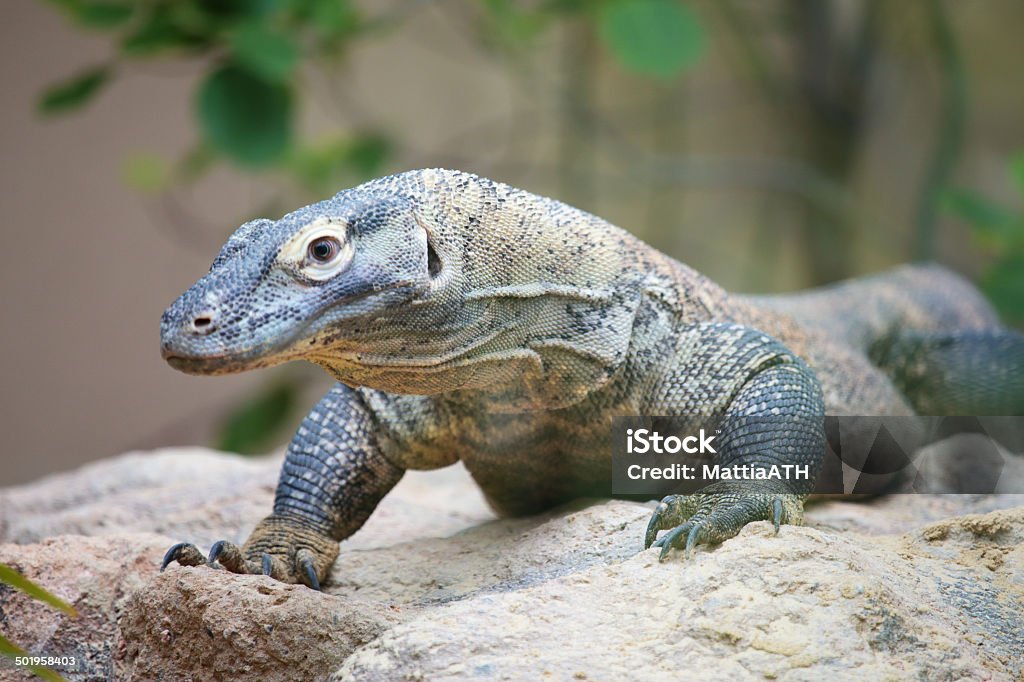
(84, 272)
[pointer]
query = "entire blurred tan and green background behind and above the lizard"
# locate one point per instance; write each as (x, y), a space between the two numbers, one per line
(772, 145)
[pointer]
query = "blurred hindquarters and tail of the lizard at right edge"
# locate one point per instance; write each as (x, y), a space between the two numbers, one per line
(930, 330)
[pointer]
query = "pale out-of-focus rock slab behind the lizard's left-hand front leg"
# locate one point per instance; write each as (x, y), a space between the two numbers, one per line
(203, 496)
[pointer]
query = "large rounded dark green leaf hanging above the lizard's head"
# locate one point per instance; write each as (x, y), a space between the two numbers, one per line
(244, 116)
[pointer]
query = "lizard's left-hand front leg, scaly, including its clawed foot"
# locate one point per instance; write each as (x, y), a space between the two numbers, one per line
(333, 479)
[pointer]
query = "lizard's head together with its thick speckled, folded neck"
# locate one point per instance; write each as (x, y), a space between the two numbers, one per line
(421, 283)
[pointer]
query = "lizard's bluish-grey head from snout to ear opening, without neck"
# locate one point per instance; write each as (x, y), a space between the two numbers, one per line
(324, 277)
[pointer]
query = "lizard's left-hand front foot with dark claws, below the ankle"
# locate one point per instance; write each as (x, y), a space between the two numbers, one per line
(283, 548)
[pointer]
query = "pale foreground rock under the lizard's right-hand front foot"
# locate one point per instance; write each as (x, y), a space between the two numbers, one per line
(942, 604)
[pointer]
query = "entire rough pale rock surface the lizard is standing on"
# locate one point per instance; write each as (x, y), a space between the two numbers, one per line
(928, 587)
